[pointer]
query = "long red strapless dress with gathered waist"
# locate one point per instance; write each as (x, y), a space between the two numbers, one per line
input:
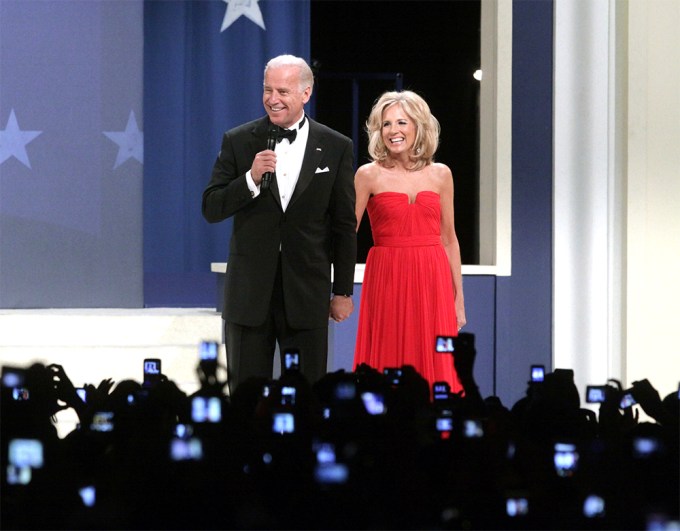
(407, 297)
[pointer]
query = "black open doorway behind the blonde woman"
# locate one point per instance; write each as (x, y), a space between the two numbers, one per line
(435, 46)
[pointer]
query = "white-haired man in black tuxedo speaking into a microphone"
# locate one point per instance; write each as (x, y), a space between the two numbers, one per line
(287, 231)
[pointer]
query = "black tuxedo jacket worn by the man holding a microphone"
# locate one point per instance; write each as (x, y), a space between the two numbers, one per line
(317, 229)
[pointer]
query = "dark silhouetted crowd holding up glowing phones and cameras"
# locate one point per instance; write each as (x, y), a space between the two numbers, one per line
(354, 450)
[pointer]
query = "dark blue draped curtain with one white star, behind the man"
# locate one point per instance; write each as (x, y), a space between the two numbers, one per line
(203, 67)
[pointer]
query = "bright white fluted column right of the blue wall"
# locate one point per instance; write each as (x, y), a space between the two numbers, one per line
(587, 213)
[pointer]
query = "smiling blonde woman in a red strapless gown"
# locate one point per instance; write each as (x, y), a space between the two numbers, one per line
(412, 289)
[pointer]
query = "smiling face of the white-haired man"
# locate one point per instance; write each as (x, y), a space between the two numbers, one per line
(282, 98)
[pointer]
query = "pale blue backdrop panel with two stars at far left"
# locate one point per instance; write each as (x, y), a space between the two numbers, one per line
(71, 154)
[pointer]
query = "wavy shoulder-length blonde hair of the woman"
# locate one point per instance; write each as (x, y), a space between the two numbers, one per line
(427, 127)
